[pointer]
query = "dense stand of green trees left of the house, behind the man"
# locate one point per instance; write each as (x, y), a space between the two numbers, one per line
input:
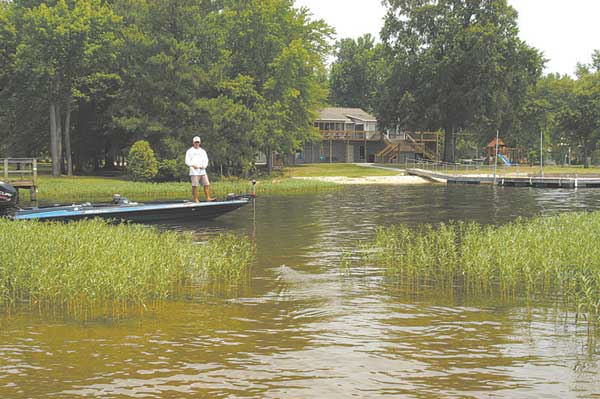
(246, 76)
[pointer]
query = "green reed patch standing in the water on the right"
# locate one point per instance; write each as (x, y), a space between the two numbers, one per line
(548, 256)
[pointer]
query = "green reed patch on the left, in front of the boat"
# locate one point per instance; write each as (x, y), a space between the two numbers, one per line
(91, 268)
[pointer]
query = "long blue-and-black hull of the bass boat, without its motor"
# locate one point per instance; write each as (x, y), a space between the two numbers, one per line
(133, 212)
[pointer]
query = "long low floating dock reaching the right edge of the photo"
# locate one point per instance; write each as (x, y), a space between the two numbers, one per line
(525, 181)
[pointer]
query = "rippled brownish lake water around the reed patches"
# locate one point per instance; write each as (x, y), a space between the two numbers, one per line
(303, 328)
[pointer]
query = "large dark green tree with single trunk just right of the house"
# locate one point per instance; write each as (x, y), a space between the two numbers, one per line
(454, 65)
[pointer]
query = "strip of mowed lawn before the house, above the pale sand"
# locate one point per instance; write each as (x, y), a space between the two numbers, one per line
(339, 169)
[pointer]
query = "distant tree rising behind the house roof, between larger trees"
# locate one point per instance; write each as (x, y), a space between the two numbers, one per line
(353, 76)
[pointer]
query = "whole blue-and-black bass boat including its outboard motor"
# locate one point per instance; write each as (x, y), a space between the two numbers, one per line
(120, 209)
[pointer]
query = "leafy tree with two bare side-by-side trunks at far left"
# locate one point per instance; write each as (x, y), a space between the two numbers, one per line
(63, 50)
